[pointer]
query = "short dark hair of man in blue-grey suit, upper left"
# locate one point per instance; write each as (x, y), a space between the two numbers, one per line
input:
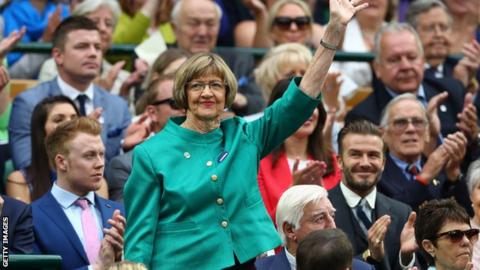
(68, 25)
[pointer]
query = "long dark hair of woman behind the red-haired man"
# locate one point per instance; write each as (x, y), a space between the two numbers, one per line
(39, 169)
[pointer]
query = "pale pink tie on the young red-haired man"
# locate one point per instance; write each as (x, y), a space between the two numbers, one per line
(90, 231)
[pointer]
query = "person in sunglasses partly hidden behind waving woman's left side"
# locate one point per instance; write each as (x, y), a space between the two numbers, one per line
(156, 106)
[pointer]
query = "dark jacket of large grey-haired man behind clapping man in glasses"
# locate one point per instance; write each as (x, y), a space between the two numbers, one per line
(371, 108)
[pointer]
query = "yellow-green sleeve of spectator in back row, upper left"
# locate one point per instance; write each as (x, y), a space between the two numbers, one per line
(131, 30)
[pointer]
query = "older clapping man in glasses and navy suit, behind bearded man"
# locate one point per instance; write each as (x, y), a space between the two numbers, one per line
(407, 176)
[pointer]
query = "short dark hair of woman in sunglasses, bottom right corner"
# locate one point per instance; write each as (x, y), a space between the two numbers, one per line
(431, 216)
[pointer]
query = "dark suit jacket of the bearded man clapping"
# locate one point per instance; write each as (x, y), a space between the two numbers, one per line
(346, 221)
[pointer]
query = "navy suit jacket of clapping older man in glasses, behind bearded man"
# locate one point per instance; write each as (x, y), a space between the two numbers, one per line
(395, 185)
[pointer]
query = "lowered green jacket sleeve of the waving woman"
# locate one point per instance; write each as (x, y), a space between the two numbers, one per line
(141, 197)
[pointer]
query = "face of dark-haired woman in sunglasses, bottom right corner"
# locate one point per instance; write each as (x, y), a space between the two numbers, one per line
(449, 254)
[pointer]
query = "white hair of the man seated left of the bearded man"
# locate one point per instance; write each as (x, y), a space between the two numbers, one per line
(292, 202)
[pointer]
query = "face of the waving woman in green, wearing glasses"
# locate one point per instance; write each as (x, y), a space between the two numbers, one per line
(206, 97)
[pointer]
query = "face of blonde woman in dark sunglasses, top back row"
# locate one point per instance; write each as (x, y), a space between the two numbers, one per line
(291, 25)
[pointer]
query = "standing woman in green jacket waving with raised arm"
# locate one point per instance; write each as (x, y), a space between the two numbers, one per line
(192, 199)
